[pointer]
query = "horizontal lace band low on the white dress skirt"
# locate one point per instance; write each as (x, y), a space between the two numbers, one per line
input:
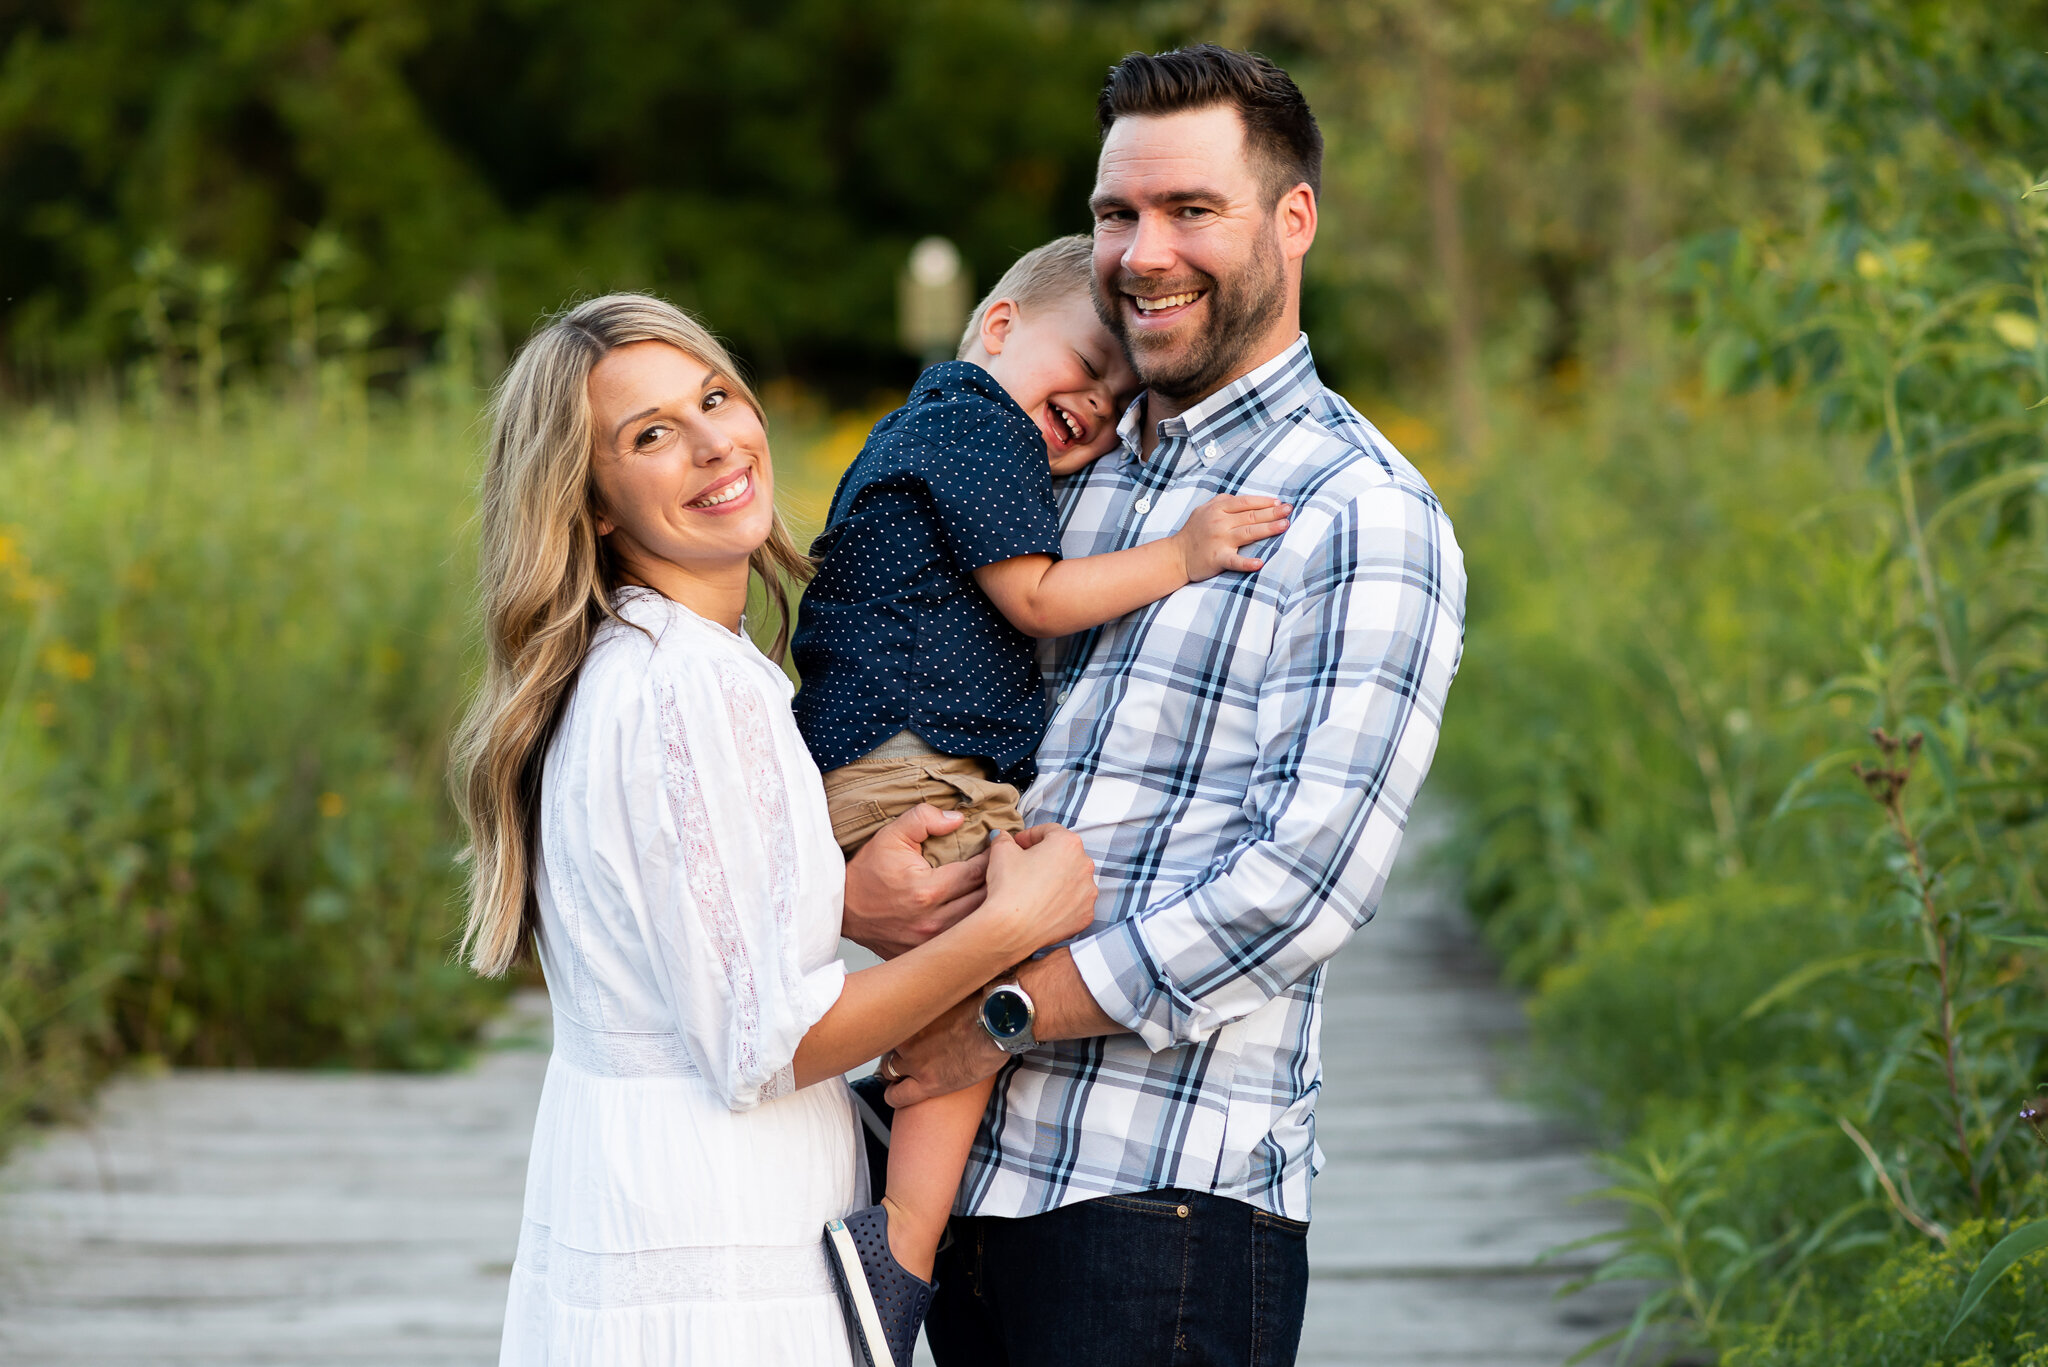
(656, 1276)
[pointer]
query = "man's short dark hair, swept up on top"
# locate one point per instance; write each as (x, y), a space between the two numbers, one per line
(1281, 136)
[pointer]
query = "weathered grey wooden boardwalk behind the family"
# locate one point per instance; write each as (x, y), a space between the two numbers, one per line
(327, 1220)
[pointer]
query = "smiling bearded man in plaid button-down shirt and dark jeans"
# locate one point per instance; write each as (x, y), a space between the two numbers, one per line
(1238, 759)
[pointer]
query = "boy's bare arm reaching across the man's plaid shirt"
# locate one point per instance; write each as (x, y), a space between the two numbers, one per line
(1056, 597)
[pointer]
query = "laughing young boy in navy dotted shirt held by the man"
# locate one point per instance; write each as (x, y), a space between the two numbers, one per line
(939, 565)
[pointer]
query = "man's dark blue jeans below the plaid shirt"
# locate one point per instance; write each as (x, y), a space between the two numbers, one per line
(1158, 1278)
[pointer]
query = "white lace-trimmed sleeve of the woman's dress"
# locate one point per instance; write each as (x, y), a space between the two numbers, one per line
(710, 813)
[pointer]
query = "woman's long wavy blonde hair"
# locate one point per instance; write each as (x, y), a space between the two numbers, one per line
(548, 585)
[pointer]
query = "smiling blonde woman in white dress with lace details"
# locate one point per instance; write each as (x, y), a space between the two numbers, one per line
(644, 811)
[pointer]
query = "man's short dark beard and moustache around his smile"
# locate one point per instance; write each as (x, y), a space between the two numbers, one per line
(1242, 308)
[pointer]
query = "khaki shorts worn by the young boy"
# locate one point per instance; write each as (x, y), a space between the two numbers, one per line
(873, 792)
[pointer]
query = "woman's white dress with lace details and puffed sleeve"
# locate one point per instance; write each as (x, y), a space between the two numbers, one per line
(689, 931)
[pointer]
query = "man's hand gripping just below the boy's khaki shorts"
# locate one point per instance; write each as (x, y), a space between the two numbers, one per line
(894, 899)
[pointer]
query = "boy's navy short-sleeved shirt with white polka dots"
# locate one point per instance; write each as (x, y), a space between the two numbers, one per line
(894, 634)
